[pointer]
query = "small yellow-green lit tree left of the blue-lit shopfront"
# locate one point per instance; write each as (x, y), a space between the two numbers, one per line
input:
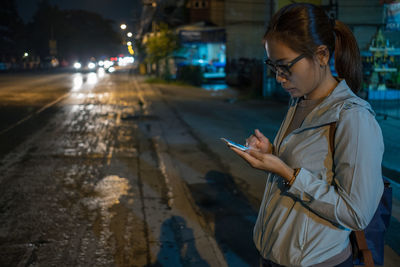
(160, 46)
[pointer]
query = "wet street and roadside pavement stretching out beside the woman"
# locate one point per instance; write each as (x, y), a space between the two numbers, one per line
(106, 170)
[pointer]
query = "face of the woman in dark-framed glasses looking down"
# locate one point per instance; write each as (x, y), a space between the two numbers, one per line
(305, 75)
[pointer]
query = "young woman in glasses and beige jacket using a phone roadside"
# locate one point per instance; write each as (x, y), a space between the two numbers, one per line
(315, 195)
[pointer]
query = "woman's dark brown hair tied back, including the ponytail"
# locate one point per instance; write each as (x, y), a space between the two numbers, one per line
(303, 27)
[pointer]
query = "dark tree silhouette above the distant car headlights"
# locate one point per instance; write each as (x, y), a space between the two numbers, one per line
(79, 34)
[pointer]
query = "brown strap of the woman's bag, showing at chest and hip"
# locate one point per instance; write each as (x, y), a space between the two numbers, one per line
(361, 242)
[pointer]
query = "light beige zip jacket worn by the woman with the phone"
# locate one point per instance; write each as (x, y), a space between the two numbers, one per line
(310, 222)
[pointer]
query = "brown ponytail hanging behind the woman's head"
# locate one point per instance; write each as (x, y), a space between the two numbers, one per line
(347, 56)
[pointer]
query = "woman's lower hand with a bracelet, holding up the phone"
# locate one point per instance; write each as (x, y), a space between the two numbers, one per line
(265, 162)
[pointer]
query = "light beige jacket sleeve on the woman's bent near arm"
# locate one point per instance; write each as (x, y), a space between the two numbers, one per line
(352, 199)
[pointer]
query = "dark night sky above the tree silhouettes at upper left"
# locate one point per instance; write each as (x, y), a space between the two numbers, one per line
(118, 10)
